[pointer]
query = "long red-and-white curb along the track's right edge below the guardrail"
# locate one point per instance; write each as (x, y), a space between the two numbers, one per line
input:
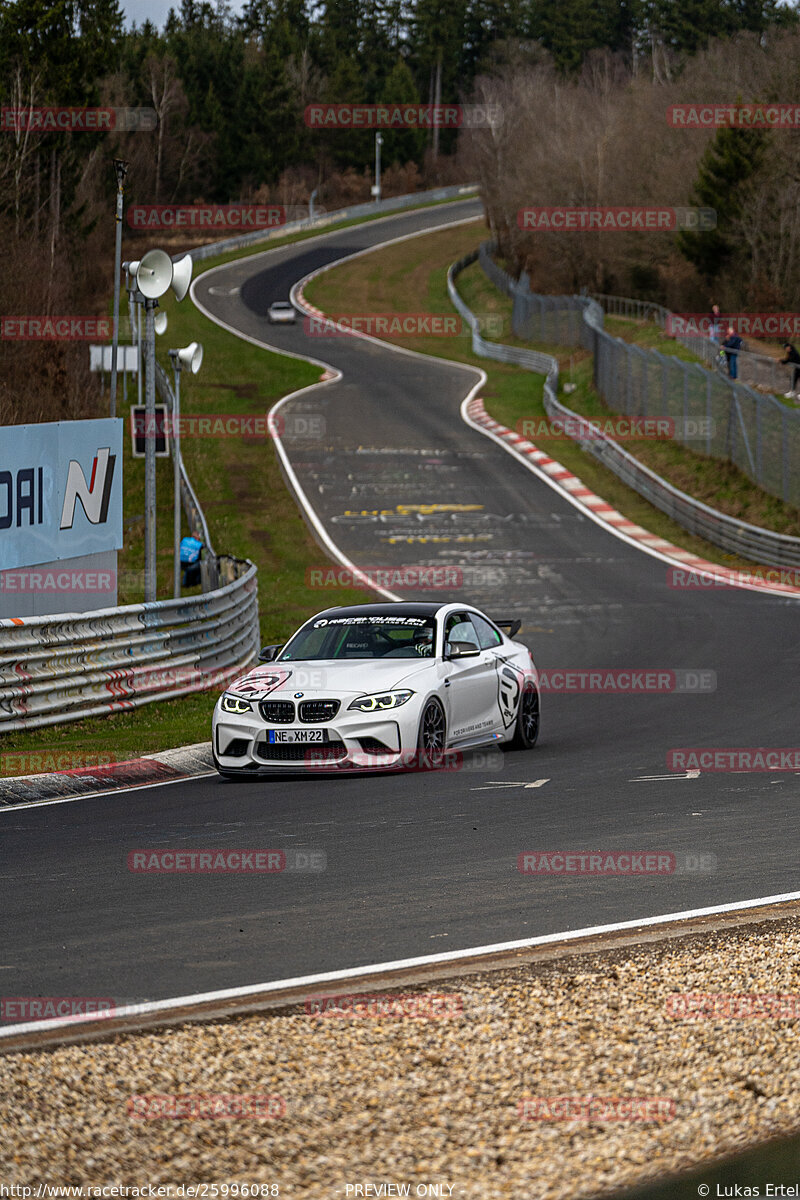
(601, 512)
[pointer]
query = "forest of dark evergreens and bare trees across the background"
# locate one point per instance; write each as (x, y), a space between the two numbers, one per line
(582, 85)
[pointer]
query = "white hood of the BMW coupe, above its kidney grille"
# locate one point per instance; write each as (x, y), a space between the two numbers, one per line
(329, 677)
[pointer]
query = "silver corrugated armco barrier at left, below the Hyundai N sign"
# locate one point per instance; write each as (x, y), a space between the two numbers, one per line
(62, 669)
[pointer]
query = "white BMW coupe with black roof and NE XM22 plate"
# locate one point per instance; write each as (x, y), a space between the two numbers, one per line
(380, 686)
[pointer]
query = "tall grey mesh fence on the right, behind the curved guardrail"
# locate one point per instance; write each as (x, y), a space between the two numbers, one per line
(709, 413)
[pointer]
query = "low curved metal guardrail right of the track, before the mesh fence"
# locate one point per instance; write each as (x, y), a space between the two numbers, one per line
(737, 537)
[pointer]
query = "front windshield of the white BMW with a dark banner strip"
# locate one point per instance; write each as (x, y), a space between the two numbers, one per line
(375, 637)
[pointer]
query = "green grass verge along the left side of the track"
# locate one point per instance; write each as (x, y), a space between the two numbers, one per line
(249, 508)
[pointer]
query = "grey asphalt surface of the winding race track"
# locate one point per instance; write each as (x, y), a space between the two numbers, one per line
(428, 863)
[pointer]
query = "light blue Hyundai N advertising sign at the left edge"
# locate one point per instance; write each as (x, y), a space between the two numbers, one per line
(61, 491)
